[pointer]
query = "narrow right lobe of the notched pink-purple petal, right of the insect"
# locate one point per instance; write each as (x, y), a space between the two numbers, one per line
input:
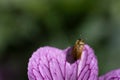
(88, 66)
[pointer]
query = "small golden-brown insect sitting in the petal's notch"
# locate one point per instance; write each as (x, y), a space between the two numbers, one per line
(77, 49)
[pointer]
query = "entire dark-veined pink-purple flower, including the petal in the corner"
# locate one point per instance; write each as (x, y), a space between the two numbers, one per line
(50, 63)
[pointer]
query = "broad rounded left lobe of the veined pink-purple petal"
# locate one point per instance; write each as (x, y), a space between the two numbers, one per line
(47, 63)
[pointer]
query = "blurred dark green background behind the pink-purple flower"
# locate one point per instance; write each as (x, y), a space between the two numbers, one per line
(26, 25)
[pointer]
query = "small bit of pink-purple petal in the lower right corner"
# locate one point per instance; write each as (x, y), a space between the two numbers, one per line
(112, 75)
